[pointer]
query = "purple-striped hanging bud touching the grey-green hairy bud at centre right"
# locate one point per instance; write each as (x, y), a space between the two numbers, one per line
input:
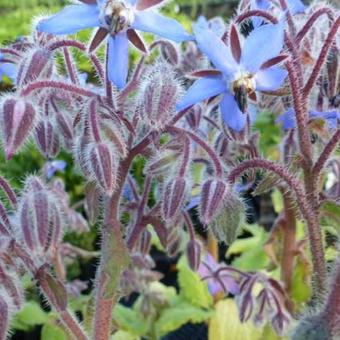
(213, 193)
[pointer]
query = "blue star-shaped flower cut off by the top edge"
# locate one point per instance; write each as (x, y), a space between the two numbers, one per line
(119, 19)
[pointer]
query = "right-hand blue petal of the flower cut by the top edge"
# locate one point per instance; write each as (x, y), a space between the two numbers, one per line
(151, 21)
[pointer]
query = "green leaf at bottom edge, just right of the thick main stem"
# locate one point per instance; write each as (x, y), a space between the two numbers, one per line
(130, 320)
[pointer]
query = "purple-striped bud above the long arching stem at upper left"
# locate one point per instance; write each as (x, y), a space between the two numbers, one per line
(37, 64)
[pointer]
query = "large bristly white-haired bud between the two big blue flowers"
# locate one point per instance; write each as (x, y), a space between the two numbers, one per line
(159, 94)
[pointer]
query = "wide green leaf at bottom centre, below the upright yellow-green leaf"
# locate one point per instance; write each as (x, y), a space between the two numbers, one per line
(173, 318)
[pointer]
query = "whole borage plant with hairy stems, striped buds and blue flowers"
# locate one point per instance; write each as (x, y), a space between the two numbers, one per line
(198, 143)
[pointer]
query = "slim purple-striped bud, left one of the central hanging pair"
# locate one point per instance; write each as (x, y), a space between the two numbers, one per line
(173, 198)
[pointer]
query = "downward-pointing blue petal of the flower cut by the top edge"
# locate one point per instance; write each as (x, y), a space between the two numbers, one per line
(118, 61)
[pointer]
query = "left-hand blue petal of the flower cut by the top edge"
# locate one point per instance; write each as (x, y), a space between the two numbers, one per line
(71, 19)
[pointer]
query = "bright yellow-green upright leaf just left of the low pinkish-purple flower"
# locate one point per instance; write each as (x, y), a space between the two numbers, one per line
(192, 288)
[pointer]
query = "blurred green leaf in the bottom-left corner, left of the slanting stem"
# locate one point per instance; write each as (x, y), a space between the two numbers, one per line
(29, 316)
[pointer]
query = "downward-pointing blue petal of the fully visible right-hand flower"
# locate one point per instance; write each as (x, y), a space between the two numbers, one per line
(231, 114)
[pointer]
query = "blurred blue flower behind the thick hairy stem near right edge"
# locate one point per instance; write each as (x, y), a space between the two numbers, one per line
(288, 119)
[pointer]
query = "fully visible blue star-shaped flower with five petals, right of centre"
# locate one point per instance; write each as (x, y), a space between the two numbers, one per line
(241, 70)
